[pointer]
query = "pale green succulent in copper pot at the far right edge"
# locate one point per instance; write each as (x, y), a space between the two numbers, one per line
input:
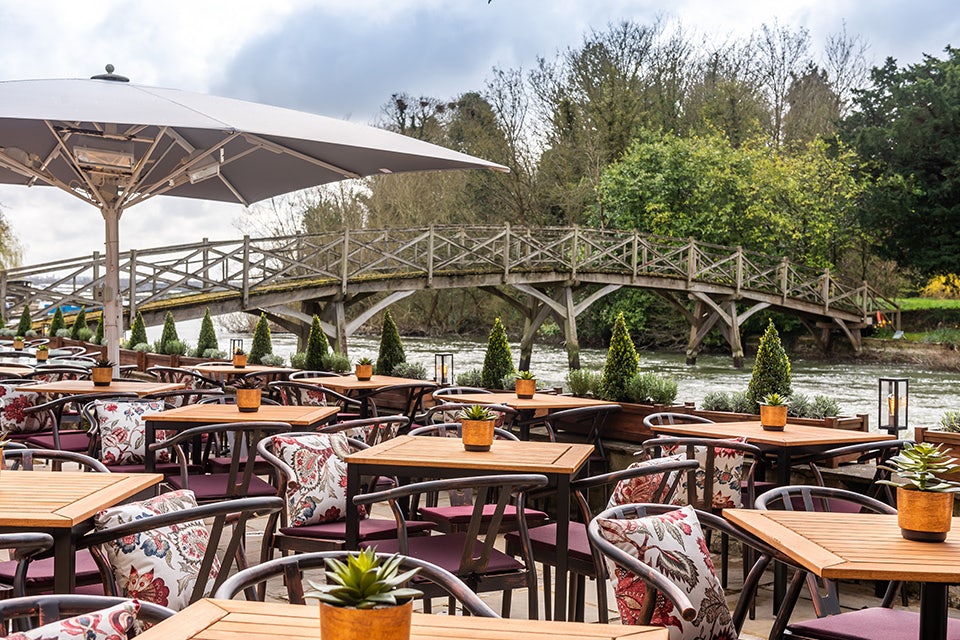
(924, 497)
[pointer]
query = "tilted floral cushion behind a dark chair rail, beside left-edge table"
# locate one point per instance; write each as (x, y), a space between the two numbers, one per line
(162, 565)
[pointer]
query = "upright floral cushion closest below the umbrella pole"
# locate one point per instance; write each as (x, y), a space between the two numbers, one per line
(122, 432)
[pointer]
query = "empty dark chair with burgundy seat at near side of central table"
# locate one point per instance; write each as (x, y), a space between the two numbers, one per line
(471, 554)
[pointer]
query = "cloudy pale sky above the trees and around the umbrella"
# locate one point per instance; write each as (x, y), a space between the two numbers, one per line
(345, 58)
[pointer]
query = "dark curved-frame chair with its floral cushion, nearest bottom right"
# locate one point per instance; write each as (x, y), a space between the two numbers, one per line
(654, 556)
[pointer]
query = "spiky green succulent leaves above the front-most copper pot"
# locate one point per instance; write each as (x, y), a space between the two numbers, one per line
(364, 582)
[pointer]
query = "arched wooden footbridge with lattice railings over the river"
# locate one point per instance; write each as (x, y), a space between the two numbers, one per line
(544, 272)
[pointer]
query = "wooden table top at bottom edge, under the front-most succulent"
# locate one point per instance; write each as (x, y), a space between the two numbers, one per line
(209, 619)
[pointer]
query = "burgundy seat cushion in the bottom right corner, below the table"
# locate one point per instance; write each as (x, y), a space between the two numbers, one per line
(875, 623)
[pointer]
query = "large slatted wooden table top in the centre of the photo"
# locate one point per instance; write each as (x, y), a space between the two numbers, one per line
(525, 456)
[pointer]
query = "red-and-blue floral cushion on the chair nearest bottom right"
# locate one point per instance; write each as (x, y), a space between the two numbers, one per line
(674, 545)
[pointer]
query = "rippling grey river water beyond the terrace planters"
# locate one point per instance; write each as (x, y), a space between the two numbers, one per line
(853, 385)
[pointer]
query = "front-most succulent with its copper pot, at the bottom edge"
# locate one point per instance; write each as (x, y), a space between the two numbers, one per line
(365, 598)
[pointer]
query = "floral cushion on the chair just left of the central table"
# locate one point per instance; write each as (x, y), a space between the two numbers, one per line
(321, 491)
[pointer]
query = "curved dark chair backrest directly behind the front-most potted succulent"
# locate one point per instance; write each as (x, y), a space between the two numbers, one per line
(296, 568)
